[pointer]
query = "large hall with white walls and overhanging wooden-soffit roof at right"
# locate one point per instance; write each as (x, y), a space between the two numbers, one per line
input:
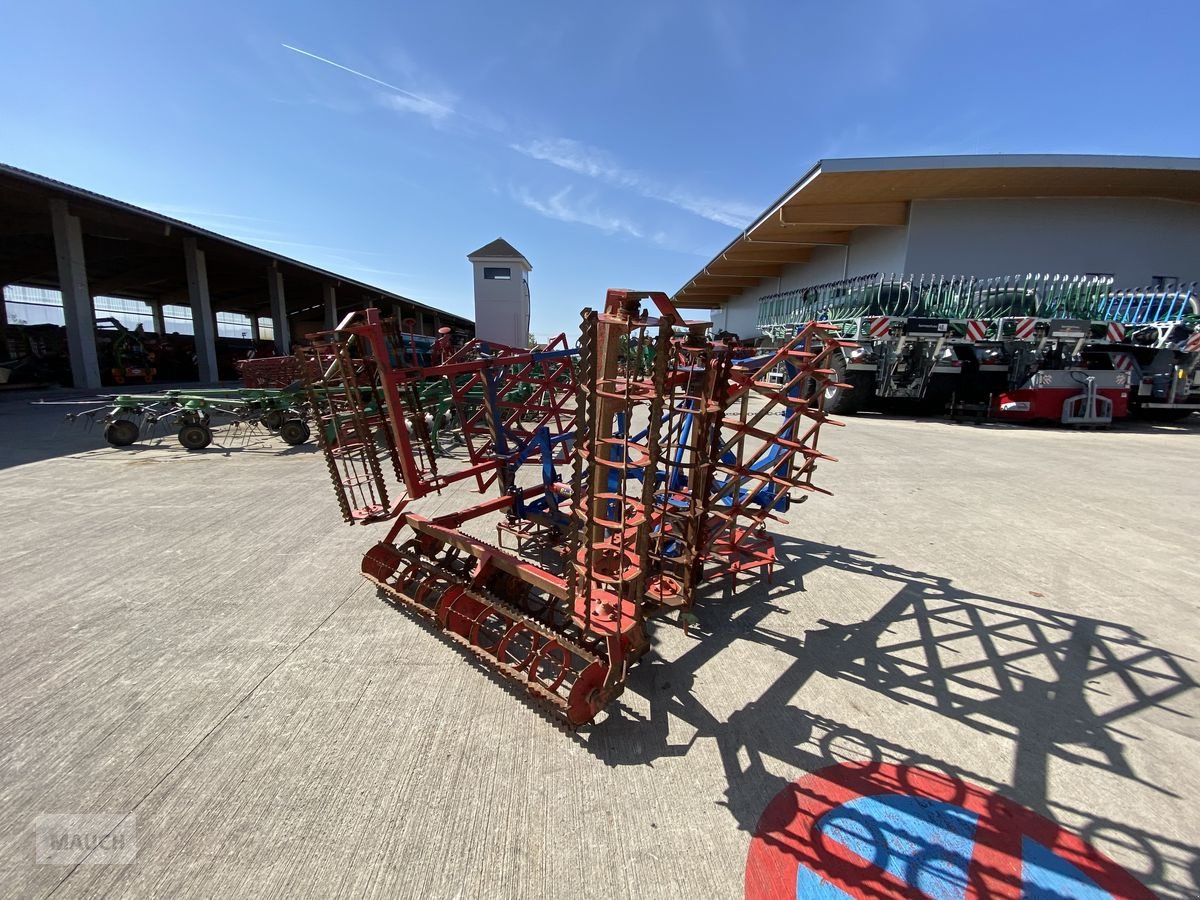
(1136, 219)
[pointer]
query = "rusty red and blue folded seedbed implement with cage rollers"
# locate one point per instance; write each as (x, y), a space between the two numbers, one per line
(634, 469)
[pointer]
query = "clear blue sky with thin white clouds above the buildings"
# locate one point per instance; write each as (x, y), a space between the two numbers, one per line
(617, 145)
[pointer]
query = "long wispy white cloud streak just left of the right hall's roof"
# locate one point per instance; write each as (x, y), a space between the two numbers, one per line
(584, 160)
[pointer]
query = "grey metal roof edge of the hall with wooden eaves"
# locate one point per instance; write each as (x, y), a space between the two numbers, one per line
(963, 161)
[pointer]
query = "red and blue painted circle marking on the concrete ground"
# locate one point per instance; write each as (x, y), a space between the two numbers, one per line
(869, 830)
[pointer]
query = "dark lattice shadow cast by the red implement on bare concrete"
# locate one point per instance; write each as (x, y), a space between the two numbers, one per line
(1051, 686)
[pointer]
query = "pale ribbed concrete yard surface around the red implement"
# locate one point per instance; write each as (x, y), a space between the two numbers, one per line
(188, 645)
